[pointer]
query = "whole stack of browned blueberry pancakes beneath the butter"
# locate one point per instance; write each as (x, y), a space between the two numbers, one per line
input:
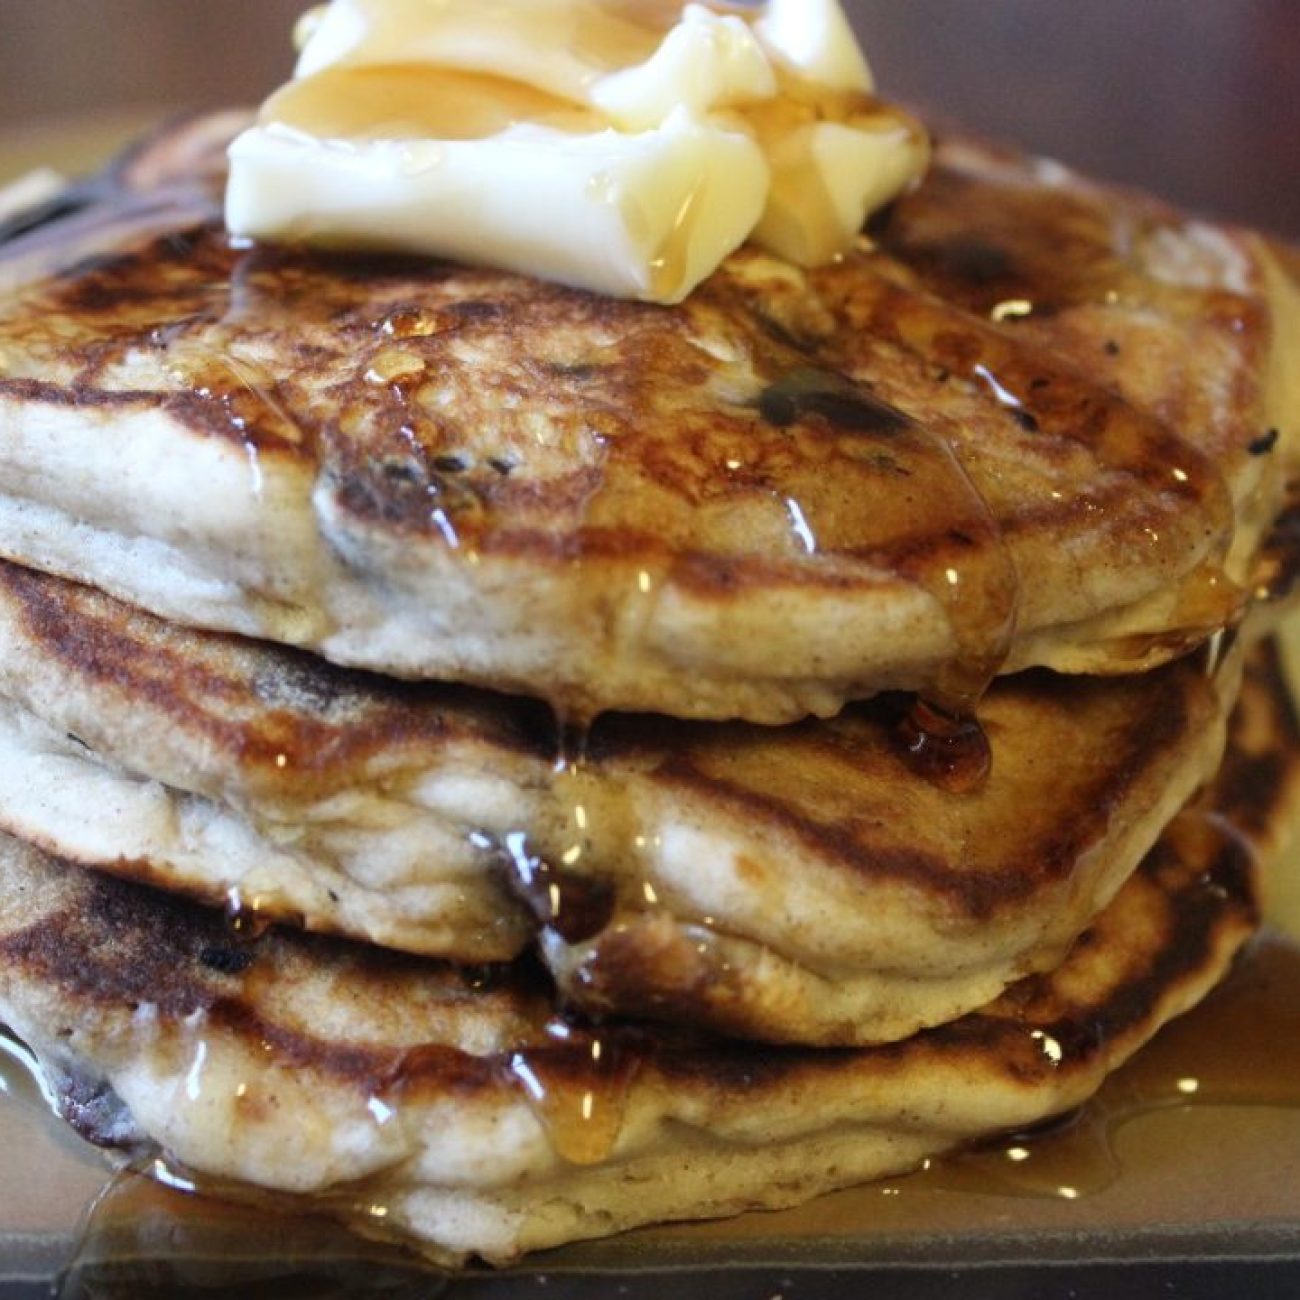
(505, 766)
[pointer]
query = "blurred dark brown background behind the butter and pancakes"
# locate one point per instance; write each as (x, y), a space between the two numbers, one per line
(1198, 99)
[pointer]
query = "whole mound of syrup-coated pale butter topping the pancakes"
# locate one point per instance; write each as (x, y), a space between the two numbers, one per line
(619, 146)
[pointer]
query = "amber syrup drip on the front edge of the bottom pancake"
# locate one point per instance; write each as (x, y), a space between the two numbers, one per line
(579, 1086)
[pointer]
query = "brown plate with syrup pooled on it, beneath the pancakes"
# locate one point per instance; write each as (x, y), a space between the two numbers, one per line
(1181, 1180)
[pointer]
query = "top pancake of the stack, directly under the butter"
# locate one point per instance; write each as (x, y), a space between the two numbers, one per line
(788, 493)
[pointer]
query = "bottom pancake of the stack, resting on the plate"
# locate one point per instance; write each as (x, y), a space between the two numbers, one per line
(411, 1100)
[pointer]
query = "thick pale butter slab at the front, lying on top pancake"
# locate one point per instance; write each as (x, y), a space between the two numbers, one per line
(647, 216)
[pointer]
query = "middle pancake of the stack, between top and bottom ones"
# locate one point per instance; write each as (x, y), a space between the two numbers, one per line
(790, 885)
